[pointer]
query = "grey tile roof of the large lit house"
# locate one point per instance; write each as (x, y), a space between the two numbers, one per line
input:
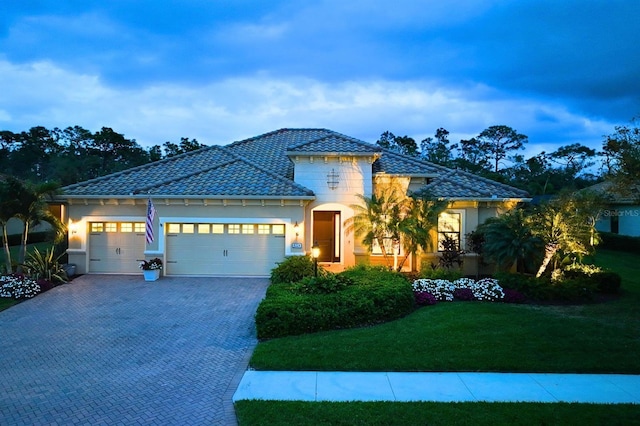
(261, 167)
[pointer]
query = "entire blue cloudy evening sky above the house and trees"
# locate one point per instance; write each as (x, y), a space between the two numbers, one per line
(558, 71)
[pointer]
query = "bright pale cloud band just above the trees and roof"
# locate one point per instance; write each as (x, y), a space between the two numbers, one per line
(218, 112)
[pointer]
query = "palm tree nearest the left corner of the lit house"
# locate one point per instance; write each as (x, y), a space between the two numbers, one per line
(32, 209)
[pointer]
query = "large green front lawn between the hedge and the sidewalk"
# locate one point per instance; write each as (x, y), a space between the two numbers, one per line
(471, 336)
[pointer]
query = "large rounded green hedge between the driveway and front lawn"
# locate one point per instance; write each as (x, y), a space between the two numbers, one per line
(354, 298)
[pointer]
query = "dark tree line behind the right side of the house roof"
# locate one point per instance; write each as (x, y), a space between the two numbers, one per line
(494, 153)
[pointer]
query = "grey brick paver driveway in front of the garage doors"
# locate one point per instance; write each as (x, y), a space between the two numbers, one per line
(119, 350)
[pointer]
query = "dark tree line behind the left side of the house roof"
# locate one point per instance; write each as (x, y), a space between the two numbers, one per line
(75, 154)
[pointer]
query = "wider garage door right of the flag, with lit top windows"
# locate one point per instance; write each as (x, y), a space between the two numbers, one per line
(223, 249)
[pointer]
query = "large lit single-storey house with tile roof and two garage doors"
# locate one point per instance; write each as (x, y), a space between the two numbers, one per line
(240, 208)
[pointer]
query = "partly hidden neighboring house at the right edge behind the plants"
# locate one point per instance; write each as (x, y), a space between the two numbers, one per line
(622, 215)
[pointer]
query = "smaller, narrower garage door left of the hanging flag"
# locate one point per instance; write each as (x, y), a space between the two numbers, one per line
(116, 247)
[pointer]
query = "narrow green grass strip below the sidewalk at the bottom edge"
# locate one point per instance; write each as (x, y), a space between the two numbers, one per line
(421, 413)
